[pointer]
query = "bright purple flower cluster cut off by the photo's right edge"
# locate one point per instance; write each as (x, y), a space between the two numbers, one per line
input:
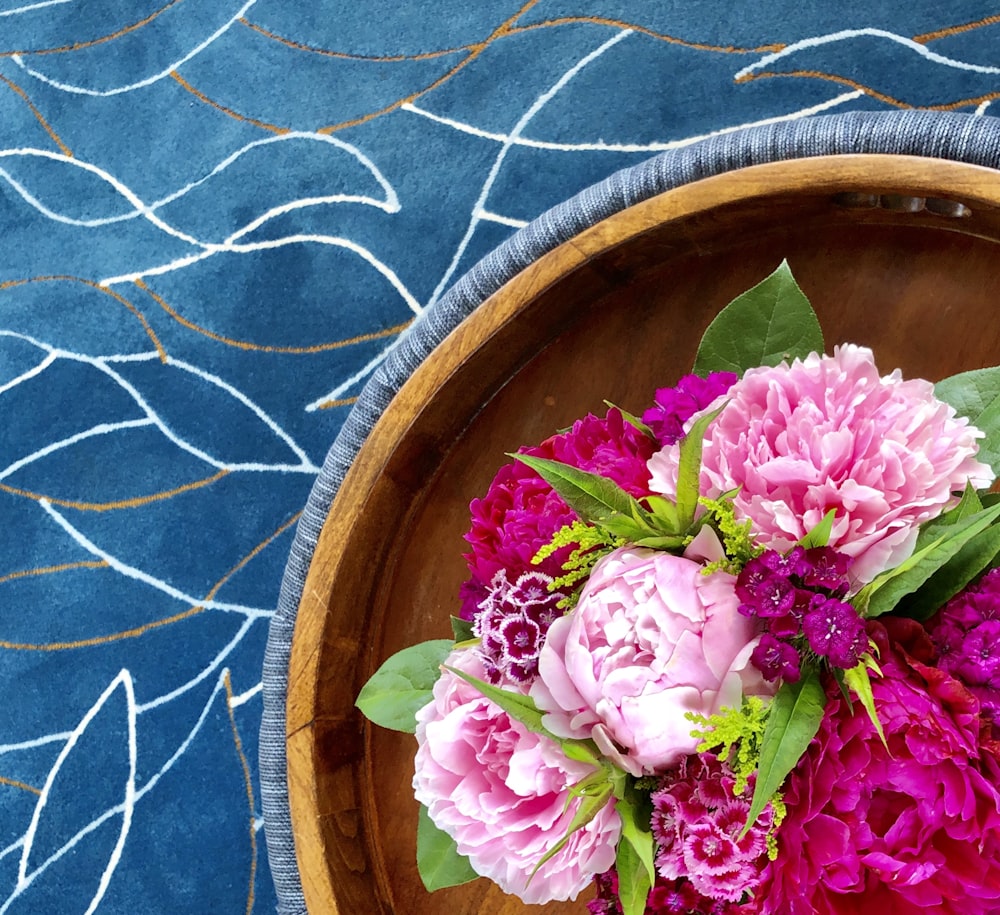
(966, 633)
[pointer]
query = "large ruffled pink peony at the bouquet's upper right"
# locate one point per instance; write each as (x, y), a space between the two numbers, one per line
(829, 433)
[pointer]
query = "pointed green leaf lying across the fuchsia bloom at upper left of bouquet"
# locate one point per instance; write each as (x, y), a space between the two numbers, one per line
(594, 498)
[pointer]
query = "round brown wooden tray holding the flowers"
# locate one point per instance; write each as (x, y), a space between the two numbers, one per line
(898, 253)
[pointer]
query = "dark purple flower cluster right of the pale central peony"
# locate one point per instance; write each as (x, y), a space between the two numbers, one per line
(798, 596)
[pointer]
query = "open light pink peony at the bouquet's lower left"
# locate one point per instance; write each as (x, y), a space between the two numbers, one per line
(501, 793)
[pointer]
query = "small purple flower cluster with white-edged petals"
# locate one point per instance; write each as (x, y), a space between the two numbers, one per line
(512, 623)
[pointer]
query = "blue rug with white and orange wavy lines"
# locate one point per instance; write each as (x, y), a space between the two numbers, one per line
(215, 219)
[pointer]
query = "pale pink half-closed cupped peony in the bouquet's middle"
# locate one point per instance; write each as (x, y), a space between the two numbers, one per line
(650, 640)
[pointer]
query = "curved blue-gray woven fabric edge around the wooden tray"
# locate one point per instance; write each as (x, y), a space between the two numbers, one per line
(960, 137)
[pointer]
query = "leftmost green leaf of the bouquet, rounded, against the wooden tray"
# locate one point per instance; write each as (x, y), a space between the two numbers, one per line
(402, 685)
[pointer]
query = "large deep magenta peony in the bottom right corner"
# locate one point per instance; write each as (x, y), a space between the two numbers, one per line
(911, 829)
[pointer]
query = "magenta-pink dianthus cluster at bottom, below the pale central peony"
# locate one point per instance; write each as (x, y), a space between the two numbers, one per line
(697, 821)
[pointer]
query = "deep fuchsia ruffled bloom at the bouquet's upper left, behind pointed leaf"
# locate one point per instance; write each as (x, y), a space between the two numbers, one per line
(520, 512)
